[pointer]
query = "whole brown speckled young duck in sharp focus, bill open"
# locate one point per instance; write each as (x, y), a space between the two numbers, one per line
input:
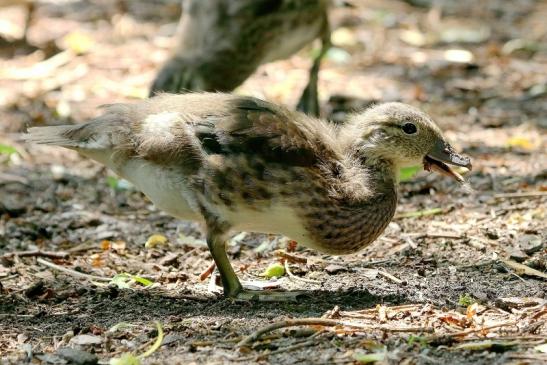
(238, 163)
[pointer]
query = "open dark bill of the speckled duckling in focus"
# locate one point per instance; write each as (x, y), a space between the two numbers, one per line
(440, 159)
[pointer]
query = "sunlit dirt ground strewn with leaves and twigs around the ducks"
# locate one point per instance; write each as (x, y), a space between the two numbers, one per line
(459, 277)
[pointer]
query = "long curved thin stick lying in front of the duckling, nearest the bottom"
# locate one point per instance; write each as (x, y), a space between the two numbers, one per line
(322, 322)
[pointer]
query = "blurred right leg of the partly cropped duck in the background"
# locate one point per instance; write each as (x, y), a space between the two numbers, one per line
(309, 101)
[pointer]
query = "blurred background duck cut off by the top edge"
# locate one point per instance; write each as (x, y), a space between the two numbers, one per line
(220, 43)
